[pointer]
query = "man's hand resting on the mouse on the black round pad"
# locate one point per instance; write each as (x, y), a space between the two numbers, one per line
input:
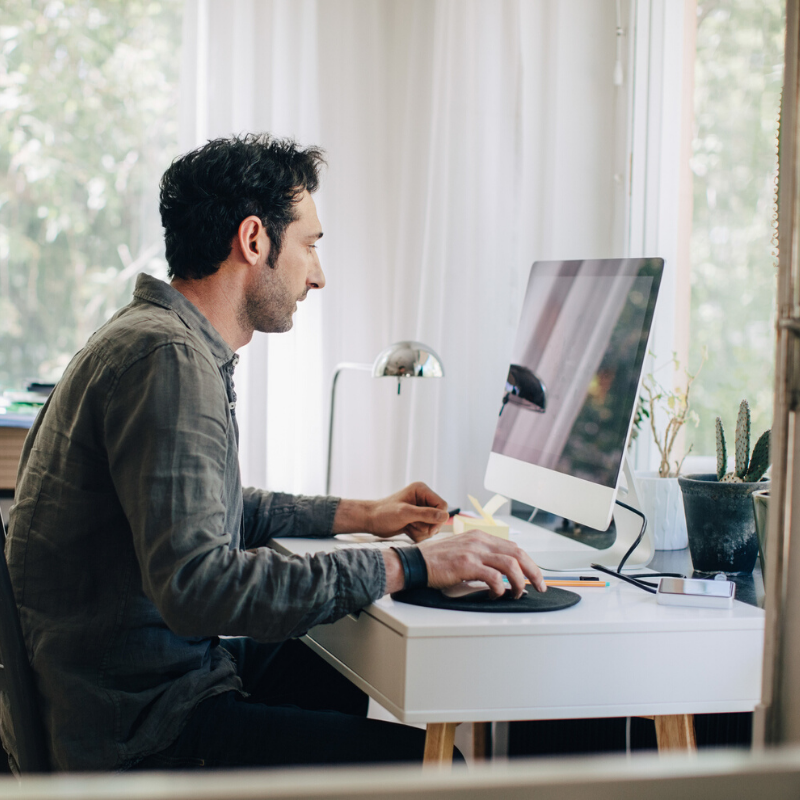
(474, 556)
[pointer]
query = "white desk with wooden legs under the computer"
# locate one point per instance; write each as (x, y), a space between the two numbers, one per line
(615, 654)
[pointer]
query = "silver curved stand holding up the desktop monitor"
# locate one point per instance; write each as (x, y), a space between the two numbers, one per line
(546, 549)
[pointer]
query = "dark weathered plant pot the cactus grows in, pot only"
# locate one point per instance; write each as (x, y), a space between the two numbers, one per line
(720, 523)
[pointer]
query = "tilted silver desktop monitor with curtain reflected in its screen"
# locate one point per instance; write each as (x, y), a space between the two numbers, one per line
(566, 411)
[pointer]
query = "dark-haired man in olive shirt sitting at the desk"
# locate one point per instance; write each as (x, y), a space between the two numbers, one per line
(132, 546)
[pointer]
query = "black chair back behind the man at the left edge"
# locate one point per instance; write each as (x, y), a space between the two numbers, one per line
(16, 680)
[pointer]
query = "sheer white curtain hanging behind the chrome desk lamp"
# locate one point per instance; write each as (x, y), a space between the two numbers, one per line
(465, 139)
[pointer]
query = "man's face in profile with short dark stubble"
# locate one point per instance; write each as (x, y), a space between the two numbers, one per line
(272, 297)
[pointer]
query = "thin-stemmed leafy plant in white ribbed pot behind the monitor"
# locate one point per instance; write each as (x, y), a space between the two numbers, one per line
(659, 493)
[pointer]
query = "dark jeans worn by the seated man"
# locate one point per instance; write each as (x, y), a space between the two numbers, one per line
(300, 711)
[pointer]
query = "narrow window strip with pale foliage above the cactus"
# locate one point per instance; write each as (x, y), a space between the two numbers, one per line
(738, 79)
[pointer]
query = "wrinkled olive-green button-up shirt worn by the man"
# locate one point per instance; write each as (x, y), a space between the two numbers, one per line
(132, 545)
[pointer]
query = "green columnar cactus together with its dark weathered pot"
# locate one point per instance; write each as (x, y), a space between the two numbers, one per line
(719, 506)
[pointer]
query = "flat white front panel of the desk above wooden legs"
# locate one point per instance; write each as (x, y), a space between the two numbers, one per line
(592, 675)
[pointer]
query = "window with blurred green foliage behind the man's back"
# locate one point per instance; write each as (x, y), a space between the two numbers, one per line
(88, 110)
